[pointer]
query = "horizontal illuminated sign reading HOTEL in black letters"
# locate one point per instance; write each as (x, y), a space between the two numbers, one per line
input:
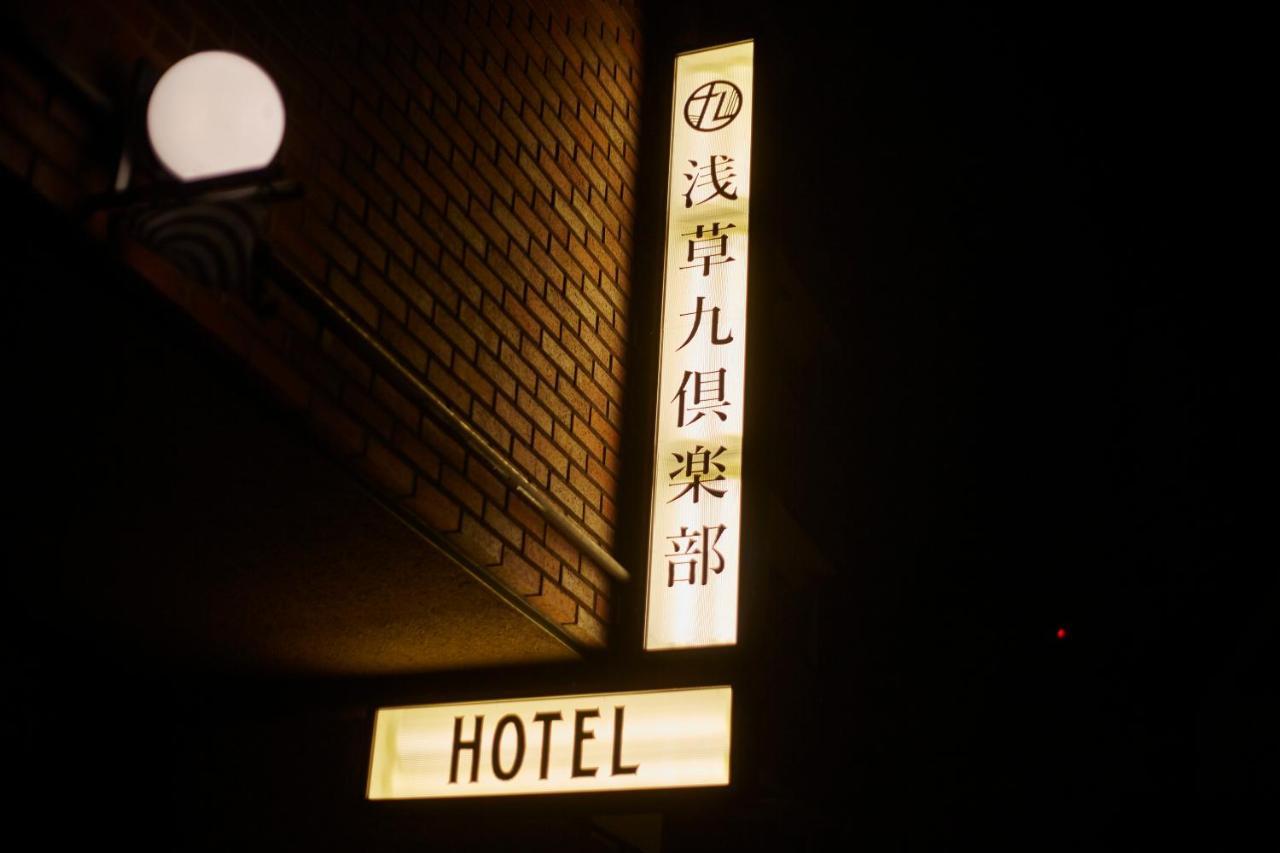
(555, 745)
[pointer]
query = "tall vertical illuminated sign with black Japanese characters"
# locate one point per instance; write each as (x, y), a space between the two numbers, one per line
(694, 558)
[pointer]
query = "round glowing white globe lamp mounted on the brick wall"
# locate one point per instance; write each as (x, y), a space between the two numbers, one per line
(216, 113)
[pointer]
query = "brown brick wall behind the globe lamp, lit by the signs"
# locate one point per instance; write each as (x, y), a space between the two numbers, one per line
(470, 175)
